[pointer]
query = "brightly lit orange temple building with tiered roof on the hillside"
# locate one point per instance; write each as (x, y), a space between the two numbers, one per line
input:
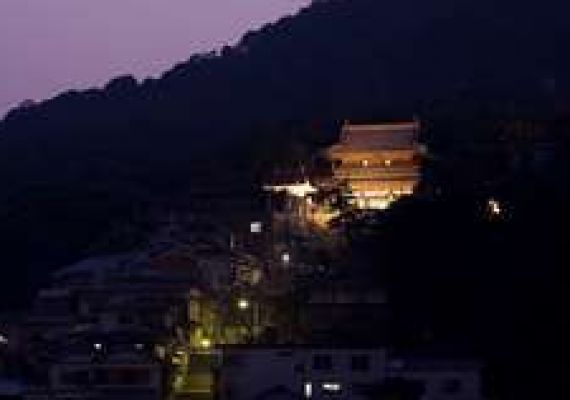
(379, 163)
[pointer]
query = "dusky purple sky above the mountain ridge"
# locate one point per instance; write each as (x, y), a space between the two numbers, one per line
(47, 46)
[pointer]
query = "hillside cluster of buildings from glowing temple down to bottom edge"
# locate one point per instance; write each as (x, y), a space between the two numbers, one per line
(208, 310)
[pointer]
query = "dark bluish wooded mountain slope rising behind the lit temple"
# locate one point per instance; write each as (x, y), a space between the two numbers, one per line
(71, 165)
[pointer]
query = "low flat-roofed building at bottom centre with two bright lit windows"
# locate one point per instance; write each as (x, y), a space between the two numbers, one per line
(348, 373)
